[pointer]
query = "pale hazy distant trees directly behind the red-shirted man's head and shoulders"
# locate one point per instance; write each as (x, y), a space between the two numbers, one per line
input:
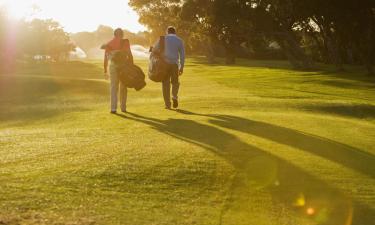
(90, 42)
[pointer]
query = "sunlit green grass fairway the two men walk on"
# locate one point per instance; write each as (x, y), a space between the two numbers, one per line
(255, 143)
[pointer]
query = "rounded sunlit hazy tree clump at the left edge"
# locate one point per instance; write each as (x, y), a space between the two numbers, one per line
(33, 40)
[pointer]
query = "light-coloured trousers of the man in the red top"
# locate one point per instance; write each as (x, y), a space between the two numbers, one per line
(115, 84)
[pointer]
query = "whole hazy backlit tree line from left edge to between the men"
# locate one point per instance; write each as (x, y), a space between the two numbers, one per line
(46, 40)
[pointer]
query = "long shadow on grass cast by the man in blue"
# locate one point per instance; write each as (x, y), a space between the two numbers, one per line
(347, 156)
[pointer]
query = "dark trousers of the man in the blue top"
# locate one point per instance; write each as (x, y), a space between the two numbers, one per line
(172, 78)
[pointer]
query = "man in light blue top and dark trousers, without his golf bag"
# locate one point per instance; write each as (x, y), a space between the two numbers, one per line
(175, 57)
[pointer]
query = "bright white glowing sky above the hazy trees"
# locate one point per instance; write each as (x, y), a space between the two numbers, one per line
(77, 15)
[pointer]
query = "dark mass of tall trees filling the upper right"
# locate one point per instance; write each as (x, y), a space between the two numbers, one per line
(330, 31)
